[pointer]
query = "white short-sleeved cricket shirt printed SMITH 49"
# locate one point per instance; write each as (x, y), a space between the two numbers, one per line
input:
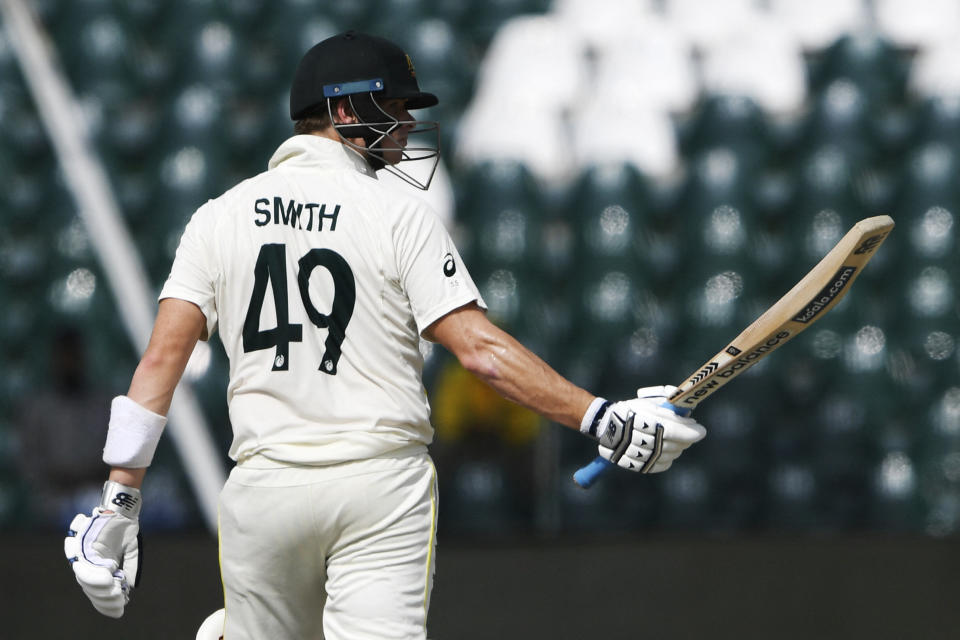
(320, 280)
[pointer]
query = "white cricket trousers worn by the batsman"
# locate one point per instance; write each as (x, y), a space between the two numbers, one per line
(343, 552)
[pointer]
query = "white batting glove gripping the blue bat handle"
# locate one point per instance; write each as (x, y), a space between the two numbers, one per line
(640, 434)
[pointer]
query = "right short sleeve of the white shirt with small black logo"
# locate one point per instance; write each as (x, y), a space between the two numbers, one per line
(431, 270)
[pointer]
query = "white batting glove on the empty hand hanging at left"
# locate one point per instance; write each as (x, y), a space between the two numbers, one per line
(104, 549)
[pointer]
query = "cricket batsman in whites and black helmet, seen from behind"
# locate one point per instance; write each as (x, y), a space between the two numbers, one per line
(321, 282)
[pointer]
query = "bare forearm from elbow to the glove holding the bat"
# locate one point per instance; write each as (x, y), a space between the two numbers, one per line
(521, 376)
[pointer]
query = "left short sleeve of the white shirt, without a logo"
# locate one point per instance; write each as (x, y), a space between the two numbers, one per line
(194, 274)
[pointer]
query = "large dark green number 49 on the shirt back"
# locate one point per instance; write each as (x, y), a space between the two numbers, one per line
(272, 267)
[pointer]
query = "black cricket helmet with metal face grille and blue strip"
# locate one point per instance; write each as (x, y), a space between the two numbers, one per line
(366, 71)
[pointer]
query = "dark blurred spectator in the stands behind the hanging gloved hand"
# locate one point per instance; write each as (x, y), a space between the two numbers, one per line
(61, 430)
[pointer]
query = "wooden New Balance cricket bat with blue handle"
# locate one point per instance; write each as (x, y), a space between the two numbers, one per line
(822, 288)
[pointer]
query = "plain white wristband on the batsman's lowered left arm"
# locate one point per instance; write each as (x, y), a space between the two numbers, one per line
(133, 434)
